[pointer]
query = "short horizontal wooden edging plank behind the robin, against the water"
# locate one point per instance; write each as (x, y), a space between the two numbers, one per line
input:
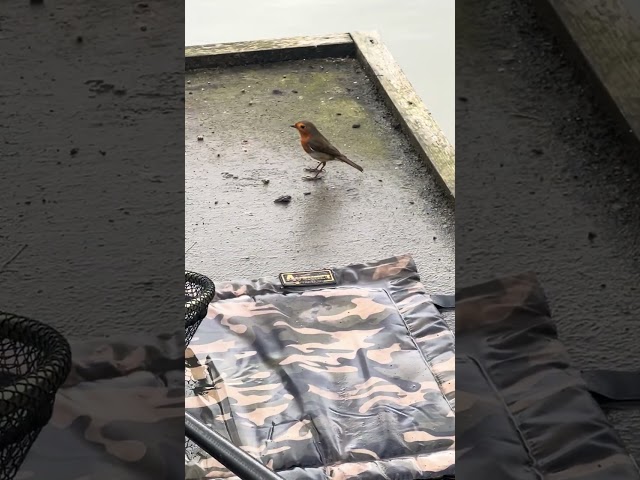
(265, 51)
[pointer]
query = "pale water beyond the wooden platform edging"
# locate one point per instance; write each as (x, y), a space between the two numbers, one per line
(419, 33)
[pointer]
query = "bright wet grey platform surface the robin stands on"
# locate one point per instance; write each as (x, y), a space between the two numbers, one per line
(233, 227)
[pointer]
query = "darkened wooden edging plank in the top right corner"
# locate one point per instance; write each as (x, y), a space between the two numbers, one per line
(605, 37)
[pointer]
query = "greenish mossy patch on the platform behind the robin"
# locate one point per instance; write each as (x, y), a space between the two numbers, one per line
(320, 95)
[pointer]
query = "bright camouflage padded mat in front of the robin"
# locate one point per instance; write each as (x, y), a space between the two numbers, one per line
(352, 381)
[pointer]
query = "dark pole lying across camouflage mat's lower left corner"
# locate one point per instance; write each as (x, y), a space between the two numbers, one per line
(235, 459)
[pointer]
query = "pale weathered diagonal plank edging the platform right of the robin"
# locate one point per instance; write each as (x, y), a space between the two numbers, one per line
(417, 122)
